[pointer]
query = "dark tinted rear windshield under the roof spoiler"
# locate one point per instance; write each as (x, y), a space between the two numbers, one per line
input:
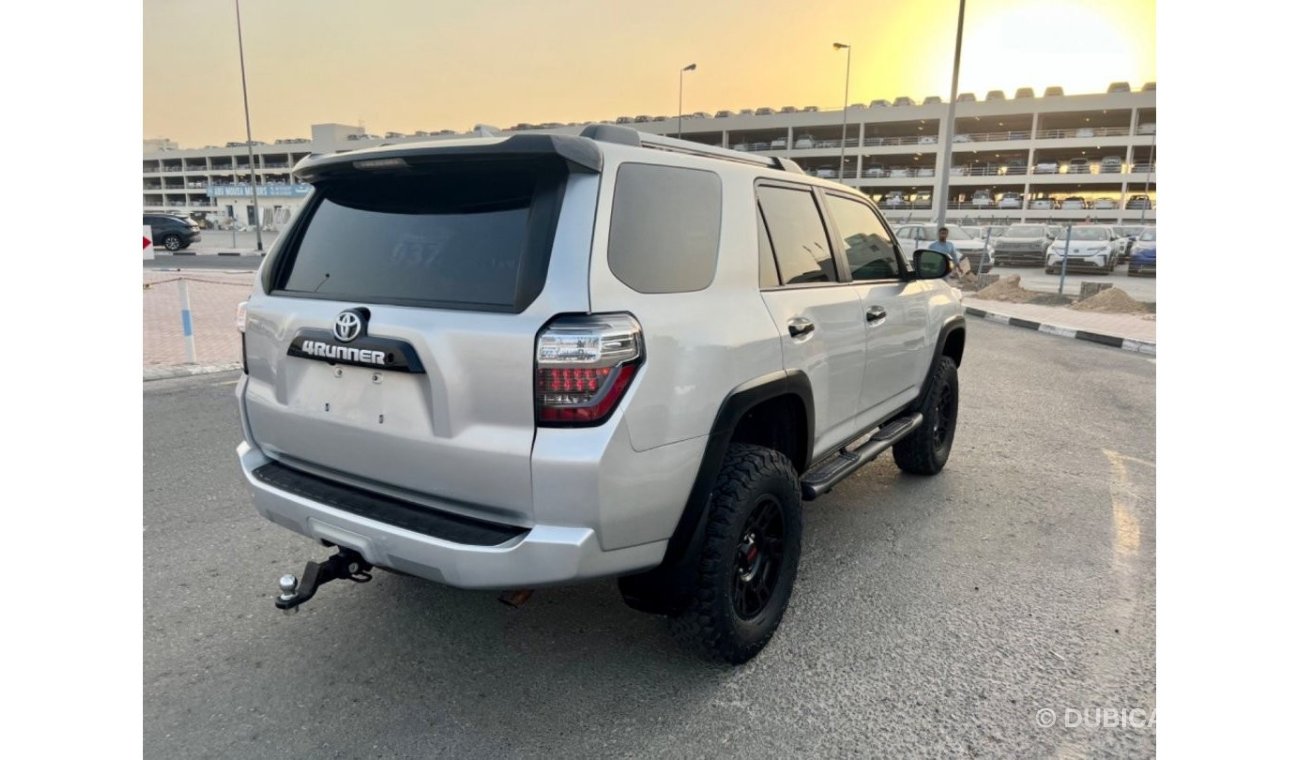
(456, 236)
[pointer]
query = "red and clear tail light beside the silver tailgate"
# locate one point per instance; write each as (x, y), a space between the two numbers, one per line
(584, 367)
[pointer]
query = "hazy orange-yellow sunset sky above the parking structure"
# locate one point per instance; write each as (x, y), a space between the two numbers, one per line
(408, 66)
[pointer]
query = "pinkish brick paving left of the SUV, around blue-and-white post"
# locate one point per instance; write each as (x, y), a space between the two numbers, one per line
(213, 305)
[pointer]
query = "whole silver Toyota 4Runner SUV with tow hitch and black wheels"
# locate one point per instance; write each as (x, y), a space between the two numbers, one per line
(522, 362)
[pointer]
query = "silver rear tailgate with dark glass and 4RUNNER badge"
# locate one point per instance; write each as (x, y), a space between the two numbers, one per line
(393, 346)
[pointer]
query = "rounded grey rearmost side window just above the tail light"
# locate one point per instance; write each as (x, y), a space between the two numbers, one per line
(665, 228)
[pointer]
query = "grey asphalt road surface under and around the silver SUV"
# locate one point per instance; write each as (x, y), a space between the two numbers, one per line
(931, 618)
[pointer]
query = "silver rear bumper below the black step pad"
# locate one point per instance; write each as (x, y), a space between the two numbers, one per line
(538, 557)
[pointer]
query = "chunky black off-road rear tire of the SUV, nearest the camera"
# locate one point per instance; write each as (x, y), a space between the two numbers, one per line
(753, 479)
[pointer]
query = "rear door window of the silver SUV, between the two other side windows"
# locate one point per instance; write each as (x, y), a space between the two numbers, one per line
(799, 236)
